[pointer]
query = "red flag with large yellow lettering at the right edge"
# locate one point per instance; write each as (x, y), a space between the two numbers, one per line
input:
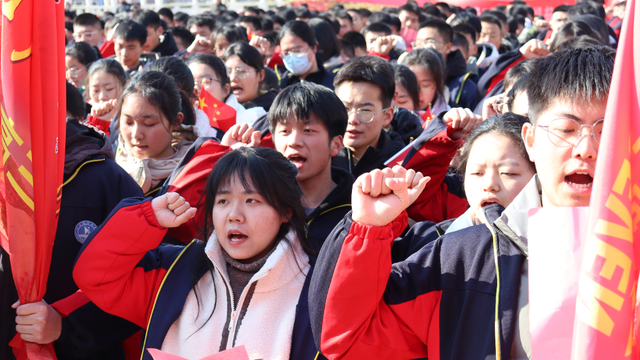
(605, 308)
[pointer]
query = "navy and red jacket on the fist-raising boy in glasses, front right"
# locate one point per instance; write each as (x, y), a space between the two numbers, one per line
(456, 298)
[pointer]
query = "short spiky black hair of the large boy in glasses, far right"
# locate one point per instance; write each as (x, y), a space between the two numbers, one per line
(578, 75)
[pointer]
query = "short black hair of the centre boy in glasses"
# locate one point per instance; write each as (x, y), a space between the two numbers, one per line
(369, 69)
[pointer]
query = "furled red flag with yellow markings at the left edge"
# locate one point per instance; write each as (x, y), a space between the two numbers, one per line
(33, 107)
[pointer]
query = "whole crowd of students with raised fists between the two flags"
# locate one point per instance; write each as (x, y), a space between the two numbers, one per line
(301, 210)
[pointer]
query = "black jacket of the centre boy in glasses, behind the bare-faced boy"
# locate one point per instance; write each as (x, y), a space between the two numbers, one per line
(374, 158)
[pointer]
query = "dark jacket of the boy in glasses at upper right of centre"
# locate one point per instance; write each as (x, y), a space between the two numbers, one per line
(461, 83)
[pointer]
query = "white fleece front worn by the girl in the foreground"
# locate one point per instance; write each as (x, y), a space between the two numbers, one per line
(270, 299)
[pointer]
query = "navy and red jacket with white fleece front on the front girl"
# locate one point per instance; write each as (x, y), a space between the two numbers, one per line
(119, 269)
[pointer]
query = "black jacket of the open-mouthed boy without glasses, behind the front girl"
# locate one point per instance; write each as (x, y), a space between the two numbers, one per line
(336, 205)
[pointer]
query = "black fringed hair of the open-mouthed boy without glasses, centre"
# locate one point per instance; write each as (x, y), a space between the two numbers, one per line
(301, 100)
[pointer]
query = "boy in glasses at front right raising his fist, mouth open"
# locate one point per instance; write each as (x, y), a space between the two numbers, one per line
(464, 295)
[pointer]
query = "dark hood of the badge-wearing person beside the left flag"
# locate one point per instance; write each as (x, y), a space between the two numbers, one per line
(83, 142)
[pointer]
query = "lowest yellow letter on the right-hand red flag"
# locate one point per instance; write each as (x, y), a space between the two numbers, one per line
(589, 309)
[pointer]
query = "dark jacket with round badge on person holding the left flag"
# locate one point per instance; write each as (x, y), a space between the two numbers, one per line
(93, 184)
